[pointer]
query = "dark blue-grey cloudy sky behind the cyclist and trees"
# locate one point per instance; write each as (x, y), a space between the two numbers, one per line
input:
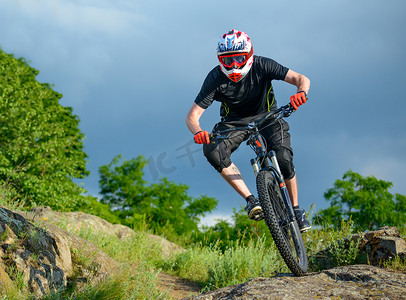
(132, 69)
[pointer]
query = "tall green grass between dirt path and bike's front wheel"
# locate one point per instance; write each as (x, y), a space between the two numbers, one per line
(214, 268)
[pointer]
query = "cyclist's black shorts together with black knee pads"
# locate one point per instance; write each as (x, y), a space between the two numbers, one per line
(277, 138)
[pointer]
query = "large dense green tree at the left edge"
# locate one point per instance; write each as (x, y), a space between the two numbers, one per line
(41, 146)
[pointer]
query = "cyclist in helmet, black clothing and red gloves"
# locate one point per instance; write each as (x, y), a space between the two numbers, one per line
(242, 83)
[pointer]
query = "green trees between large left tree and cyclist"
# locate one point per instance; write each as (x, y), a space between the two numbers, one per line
(162, 204)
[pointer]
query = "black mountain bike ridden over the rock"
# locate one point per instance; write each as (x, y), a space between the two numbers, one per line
(273, 194)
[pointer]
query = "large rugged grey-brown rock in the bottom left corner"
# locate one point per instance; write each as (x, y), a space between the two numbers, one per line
(33, 252)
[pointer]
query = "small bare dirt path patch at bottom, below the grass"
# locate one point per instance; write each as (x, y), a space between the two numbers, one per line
(178, 288)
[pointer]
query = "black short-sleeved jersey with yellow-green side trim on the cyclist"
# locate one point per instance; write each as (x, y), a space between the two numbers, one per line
(251, 96)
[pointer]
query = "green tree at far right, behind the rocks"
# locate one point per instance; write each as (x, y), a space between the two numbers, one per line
(366, 200)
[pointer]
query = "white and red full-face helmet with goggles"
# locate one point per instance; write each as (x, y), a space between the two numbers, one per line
(234, 51)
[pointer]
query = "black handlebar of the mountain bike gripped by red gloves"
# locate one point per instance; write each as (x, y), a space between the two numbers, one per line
(282, 112)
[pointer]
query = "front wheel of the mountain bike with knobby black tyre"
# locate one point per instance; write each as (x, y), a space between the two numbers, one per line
(286, 233)
